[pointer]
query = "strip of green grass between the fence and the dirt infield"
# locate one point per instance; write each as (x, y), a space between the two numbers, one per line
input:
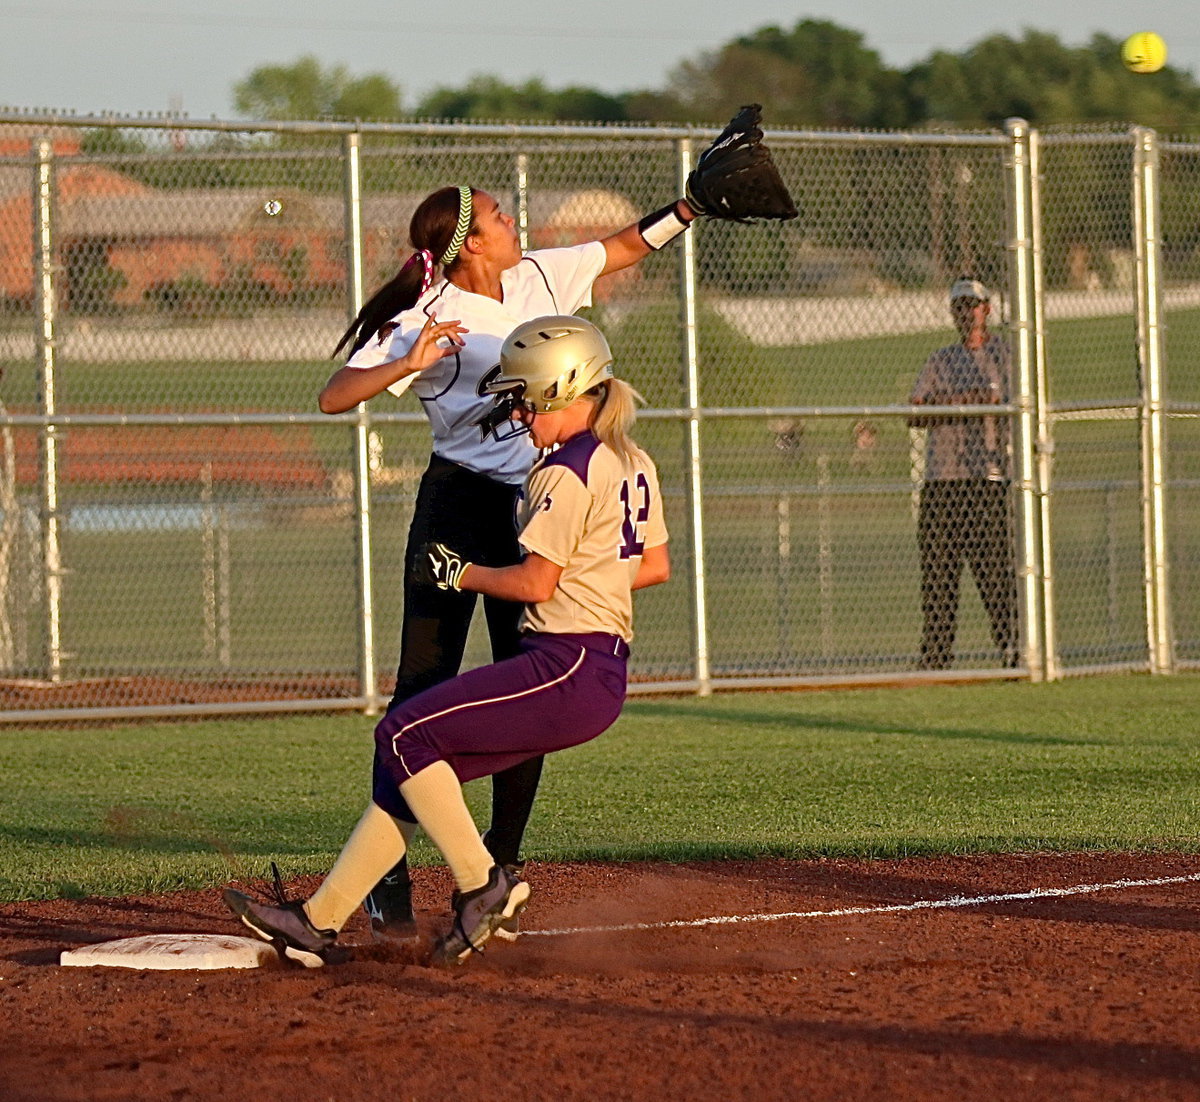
(1107, 763)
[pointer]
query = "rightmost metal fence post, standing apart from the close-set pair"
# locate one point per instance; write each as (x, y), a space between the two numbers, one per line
(1148, 241)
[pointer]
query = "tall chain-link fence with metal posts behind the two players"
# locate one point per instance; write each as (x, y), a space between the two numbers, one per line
(856, 490)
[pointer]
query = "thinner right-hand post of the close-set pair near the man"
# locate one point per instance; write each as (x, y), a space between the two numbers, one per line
(1045, 447)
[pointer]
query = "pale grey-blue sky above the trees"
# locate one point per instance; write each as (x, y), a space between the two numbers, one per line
(135, 57)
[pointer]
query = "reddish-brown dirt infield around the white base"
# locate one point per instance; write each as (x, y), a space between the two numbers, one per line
(1090, 996)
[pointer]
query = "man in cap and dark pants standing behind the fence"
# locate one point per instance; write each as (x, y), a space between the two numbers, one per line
(964, 516)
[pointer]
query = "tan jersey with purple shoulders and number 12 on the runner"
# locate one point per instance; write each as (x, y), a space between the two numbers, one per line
(593, 514)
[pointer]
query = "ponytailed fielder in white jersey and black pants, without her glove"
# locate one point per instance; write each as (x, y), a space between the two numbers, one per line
(436, 328)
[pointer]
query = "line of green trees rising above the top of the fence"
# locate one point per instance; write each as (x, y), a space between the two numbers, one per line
(815, 75)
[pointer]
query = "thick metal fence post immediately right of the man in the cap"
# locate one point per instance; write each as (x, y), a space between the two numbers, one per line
(1023, 327)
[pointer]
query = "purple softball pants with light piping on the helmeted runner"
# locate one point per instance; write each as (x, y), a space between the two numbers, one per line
(560, 692)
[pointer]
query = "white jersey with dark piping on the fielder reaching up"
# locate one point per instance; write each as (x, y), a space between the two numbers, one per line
(545, 283)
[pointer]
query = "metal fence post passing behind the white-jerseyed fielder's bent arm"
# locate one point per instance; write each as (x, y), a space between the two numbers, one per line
(368, 688)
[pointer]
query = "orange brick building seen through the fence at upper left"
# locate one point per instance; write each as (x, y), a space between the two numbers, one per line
(135, 245)
